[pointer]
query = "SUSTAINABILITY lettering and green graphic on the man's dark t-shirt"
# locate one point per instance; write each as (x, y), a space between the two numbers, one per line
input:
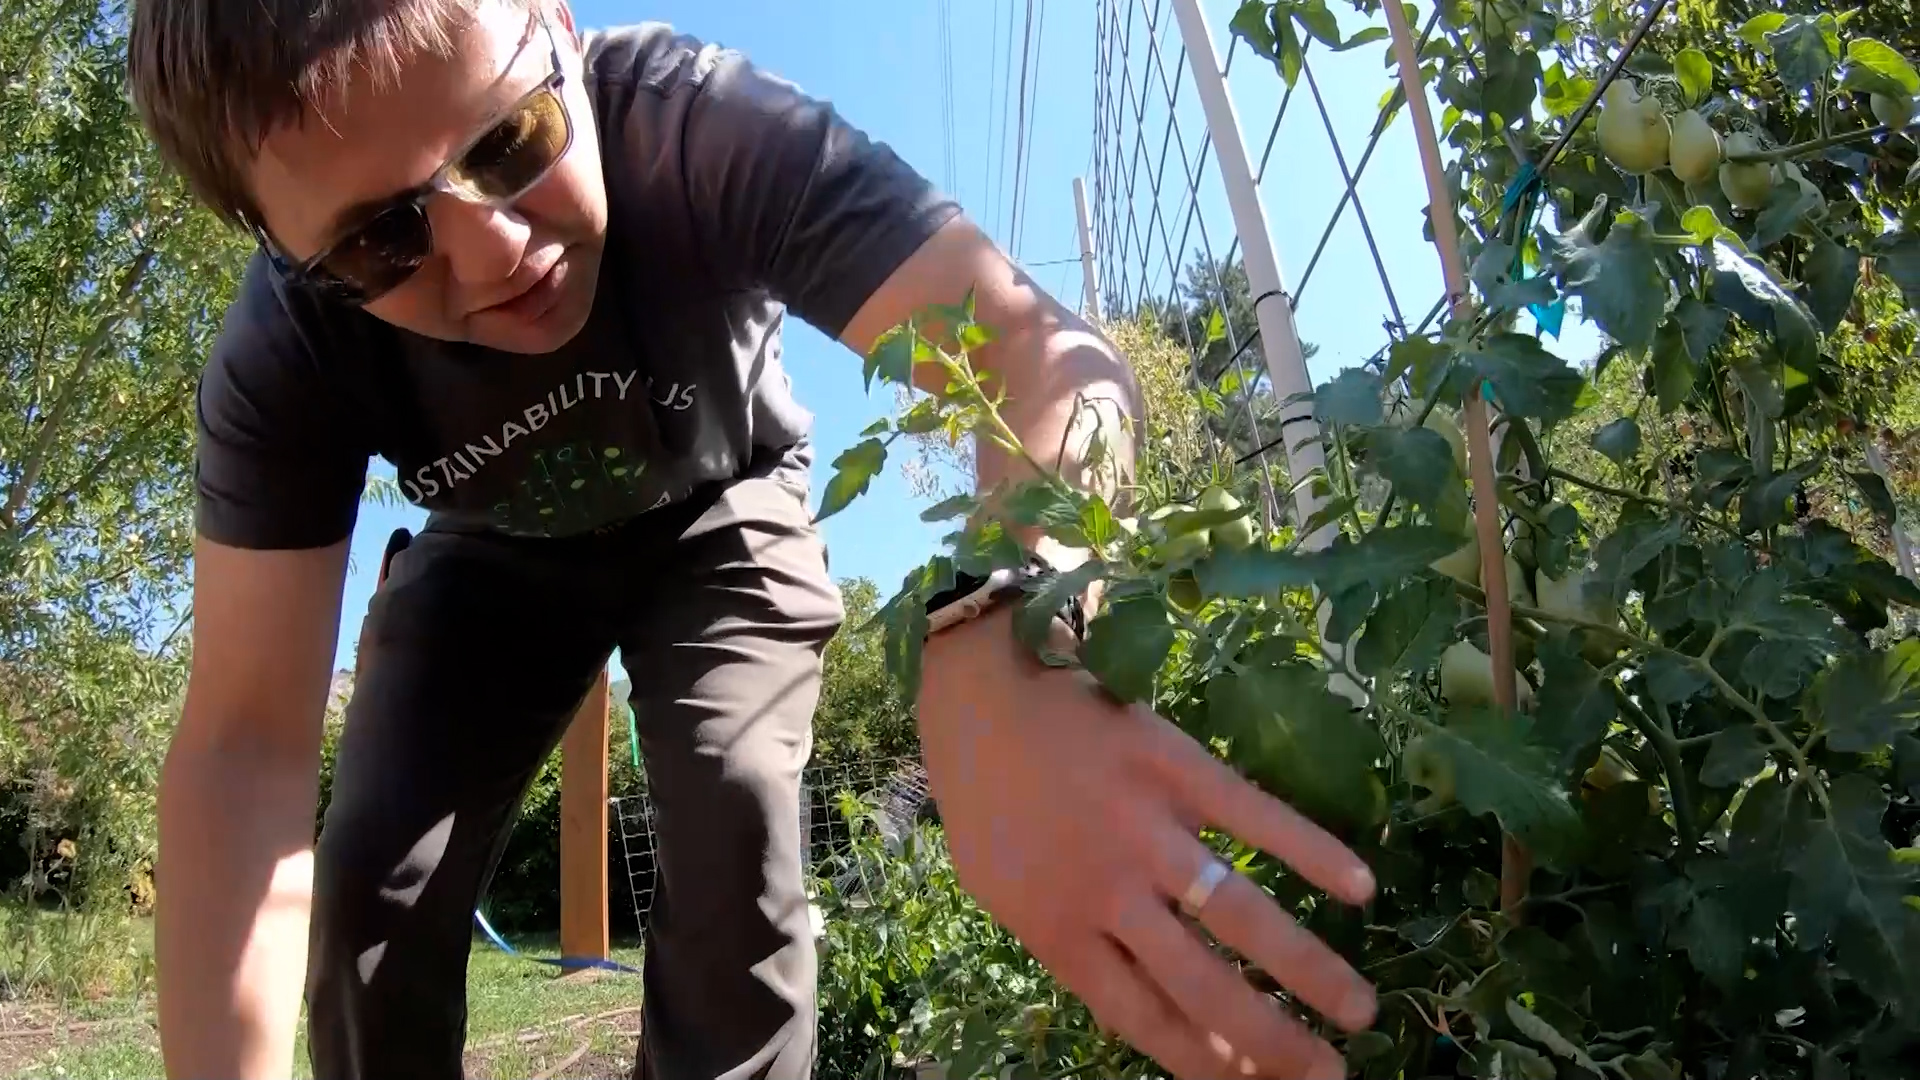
(573, 485)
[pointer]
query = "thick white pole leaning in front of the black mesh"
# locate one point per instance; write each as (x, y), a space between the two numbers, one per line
(1280, 341)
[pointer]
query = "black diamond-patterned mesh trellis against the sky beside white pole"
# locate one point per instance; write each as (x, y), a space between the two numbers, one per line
(1339, 182)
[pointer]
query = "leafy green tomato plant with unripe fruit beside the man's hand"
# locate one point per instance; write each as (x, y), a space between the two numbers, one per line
(1714, 762)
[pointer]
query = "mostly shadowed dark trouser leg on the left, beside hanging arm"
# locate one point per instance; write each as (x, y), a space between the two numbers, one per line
(473, 658)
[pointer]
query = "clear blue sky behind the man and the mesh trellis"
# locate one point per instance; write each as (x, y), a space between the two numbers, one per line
(880, 64)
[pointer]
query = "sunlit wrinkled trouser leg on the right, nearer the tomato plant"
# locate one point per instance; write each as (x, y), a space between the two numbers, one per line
(725, 656)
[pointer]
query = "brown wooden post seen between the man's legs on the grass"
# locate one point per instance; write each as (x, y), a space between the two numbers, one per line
(585, 829)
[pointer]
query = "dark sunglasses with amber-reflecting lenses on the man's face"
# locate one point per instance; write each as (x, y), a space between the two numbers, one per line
(500, 166)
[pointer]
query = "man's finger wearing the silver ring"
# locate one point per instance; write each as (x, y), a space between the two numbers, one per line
(1247, 920)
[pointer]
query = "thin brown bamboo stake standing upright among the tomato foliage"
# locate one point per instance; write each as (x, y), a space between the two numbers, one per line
(1516, 864)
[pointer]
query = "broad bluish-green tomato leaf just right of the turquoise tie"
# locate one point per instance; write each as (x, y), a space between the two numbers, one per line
(1618, 280)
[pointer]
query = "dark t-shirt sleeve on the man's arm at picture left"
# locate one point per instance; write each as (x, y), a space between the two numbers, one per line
(279, 460)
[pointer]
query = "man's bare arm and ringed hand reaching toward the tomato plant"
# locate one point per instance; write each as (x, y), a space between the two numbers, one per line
(1072, 818)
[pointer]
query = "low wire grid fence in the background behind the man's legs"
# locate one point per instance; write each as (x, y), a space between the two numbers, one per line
(894, 787)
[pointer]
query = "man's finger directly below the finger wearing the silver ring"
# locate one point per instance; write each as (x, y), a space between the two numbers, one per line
(1216, 998)
